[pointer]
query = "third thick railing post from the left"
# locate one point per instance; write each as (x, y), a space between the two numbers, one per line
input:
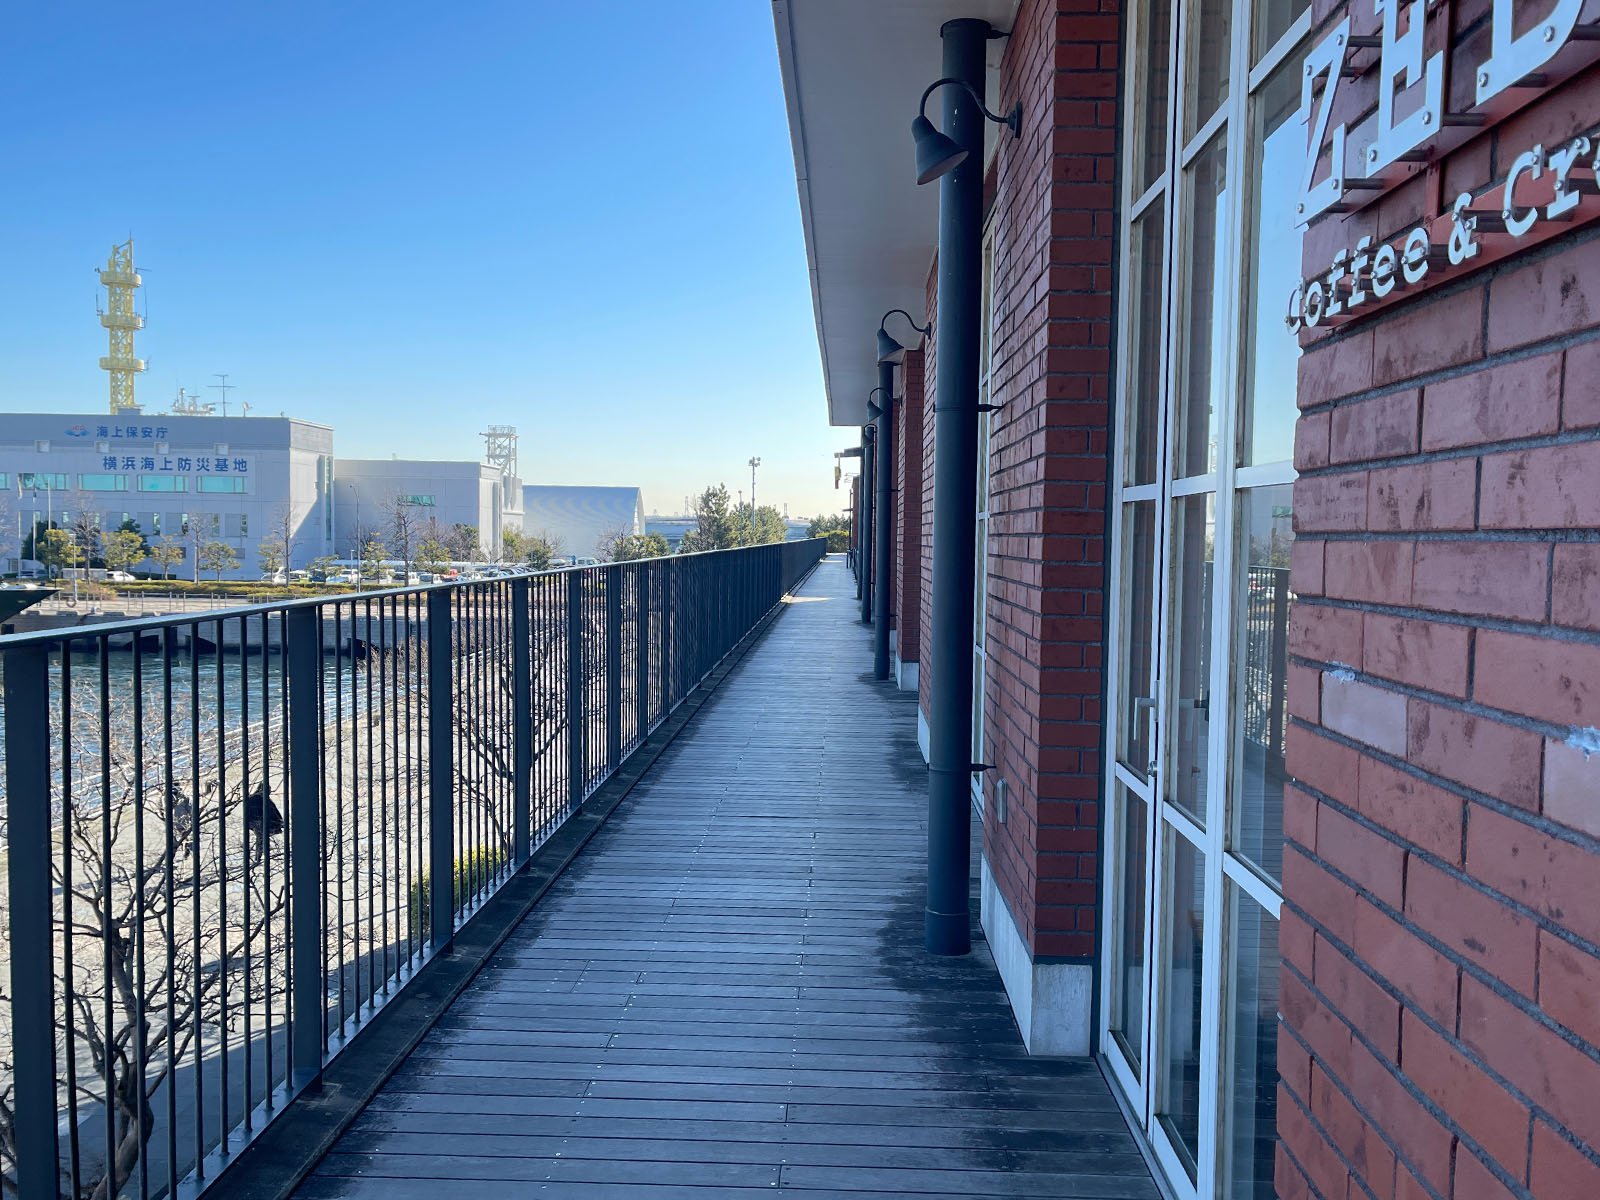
(441, 772)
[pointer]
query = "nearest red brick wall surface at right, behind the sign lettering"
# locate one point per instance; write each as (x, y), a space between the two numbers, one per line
(1441, 935)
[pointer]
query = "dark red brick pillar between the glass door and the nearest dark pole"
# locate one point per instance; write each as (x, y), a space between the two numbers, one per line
(1054, 228)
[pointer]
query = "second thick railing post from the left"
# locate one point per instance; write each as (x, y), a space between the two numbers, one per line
(308, 1004)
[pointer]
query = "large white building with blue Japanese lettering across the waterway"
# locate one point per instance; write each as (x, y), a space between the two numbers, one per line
(188, 479)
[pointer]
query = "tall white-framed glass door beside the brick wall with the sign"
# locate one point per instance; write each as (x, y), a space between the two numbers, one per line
(1206, 418)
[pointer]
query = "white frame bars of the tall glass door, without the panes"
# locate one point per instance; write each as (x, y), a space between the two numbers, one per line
(1226, 484)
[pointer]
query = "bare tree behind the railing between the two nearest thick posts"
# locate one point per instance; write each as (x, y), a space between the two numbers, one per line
(161, 937)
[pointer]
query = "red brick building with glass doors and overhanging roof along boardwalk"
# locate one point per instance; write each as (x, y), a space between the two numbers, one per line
(1287, 650)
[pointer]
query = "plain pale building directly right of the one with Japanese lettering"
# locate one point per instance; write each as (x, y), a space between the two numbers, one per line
(449, 494)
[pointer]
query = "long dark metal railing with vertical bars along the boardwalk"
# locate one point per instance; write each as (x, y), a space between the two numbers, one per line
(231, 838)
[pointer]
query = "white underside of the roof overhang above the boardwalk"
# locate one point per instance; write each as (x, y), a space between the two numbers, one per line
(854, 71)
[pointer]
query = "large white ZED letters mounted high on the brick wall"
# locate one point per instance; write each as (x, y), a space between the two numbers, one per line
(1412, 126)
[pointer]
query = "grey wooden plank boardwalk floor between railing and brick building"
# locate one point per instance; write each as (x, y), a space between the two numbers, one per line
(727, 993)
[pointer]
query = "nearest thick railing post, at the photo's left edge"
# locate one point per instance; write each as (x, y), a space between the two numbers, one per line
(30, 895)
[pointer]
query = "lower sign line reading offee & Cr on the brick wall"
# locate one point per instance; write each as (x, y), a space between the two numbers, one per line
(1543, 194)
